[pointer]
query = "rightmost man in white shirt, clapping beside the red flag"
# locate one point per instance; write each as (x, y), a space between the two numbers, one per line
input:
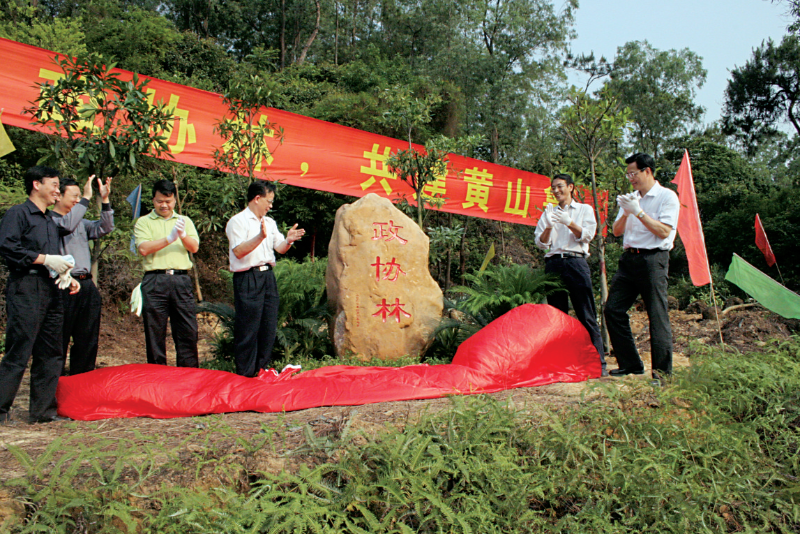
(648, 218)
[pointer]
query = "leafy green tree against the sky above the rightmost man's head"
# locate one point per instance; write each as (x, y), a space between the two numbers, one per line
(659, 88)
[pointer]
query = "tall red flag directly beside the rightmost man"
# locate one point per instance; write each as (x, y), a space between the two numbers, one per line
(689, 226)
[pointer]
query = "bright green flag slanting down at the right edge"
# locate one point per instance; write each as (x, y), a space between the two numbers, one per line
(764, 289)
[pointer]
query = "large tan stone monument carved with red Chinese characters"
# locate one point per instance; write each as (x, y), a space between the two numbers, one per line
(385, 302)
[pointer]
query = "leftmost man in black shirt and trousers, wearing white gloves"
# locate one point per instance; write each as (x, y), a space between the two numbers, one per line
(29, 242)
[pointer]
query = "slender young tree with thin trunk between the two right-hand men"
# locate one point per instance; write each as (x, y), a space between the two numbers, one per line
(592, 125)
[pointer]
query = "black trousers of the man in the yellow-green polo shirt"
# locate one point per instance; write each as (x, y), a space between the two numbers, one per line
(169, 297)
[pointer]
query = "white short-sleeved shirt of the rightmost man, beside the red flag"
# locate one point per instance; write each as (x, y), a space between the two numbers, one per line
(662, 205)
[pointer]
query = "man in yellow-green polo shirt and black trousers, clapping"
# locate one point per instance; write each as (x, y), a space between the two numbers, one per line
(165, 239)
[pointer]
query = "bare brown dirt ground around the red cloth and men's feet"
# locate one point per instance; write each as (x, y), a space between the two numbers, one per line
(122, 342)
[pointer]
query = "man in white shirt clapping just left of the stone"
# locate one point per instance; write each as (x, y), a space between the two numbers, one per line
(252, 238)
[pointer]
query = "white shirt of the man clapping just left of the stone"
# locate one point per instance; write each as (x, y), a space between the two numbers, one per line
(244, 226)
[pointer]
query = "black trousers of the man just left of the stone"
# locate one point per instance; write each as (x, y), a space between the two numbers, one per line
(255, 295)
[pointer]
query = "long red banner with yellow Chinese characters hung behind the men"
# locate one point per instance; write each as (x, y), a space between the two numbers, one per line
(314, 154)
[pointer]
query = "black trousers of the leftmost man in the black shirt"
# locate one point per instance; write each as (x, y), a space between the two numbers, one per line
(35, 315)
